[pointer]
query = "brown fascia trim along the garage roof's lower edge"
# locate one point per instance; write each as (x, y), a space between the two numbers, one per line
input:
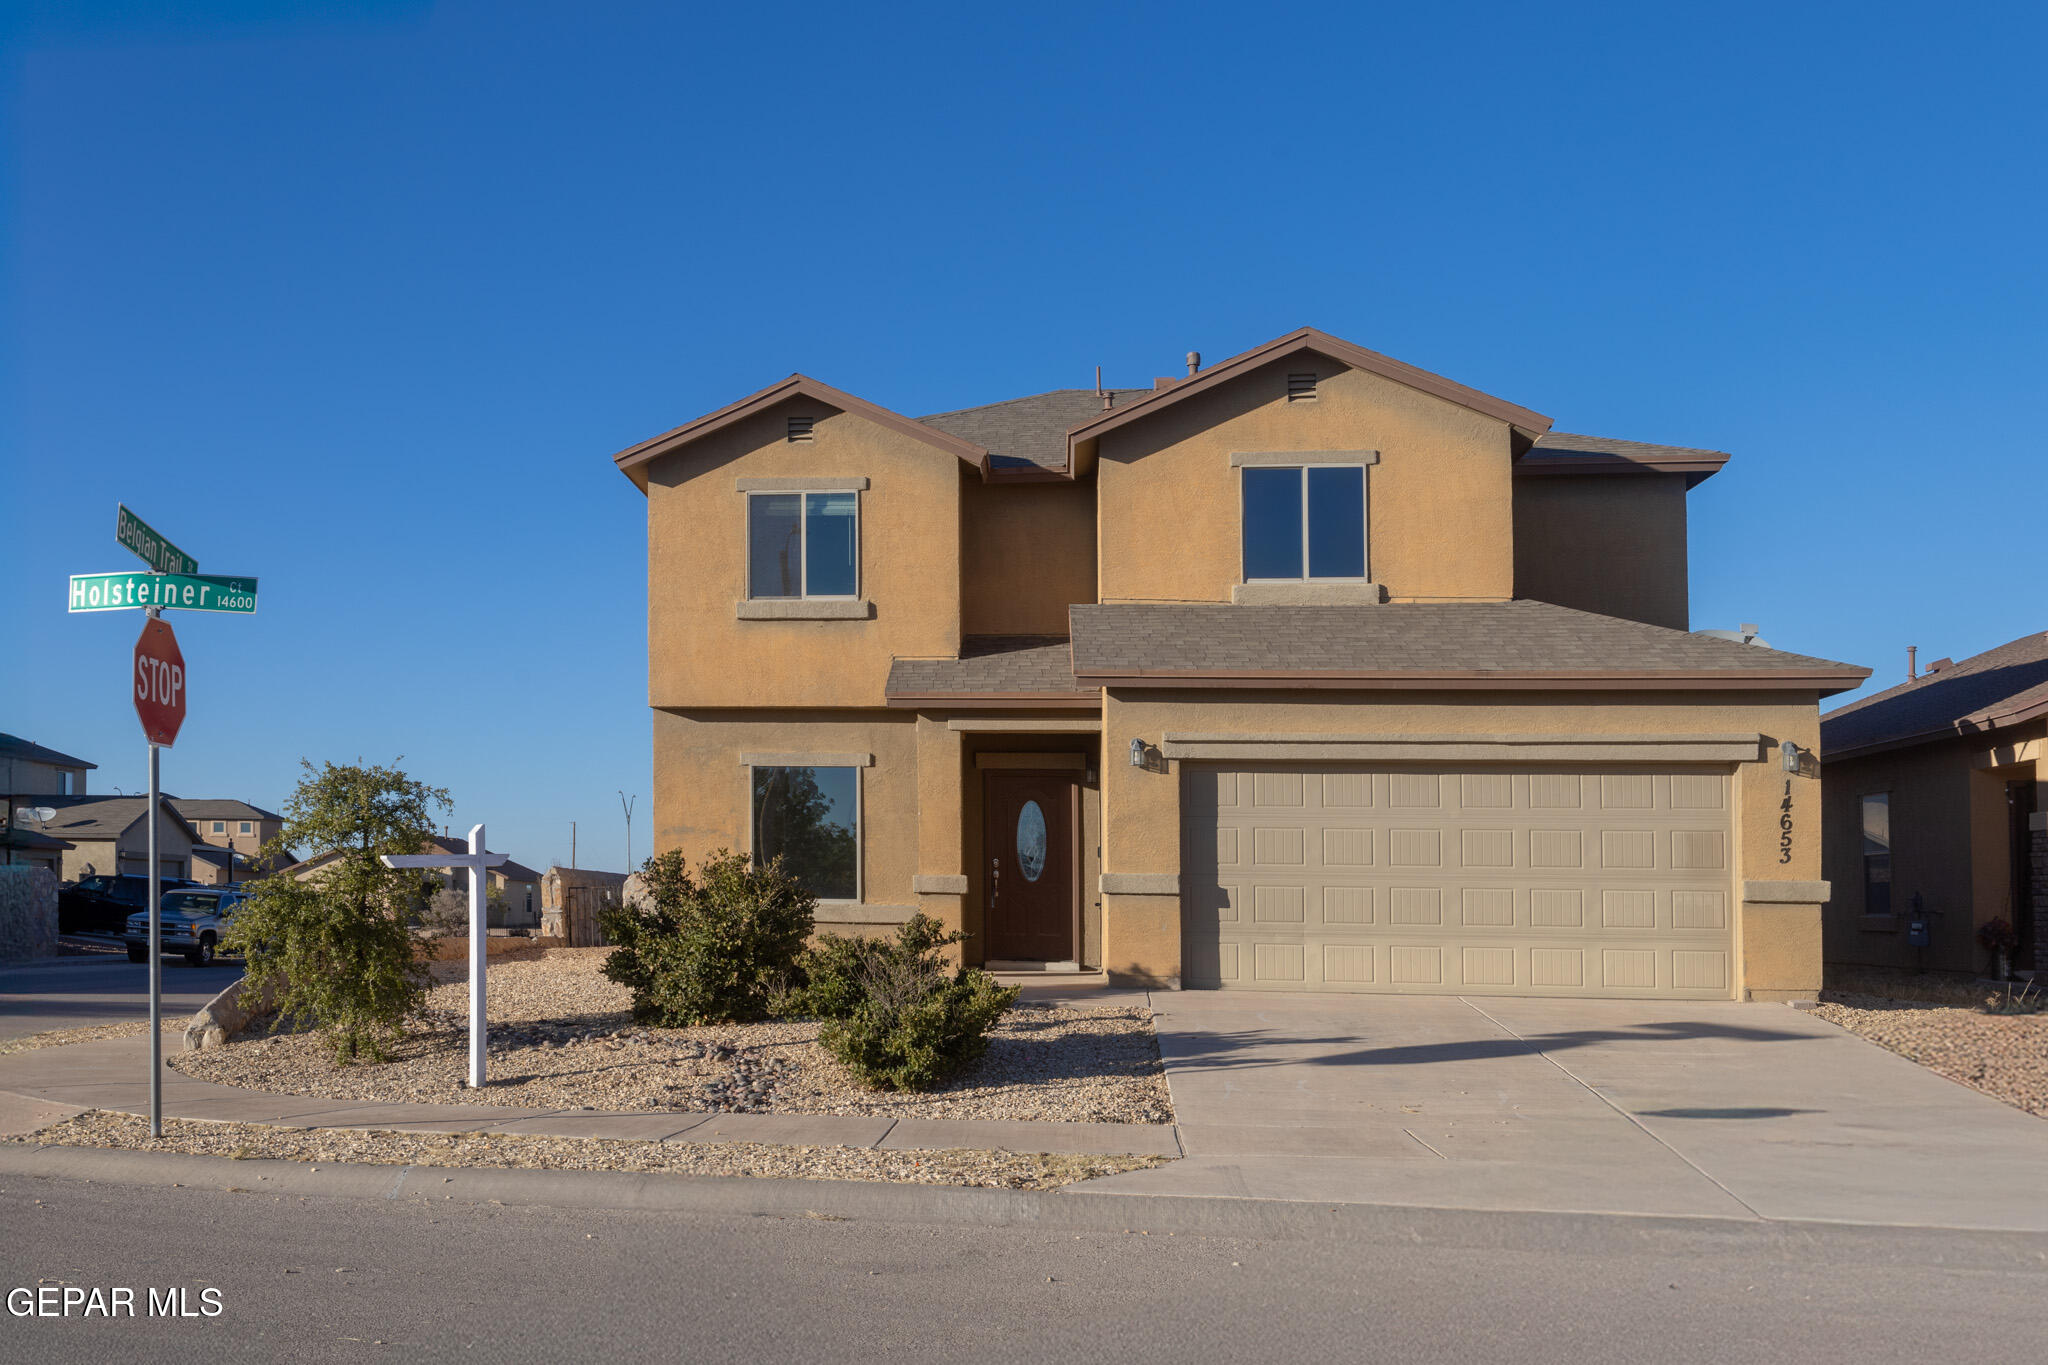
(1474, 680)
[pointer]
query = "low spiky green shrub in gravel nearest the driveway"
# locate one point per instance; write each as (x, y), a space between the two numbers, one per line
(916, 1022)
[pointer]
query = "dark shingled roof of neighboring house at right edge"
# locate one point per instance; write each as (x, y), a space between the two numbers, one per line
(1986, 693)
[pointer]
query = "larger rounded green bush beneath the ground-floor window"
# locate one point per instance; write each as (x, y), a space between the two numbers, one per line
(710, 949)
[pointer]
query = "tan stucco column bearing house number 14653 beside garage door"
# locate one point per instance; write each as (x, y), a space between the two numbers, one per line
(1779, 871)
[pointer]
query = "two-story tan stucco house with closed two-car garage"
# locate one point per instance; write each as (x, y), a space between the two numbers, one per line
(1304, 672)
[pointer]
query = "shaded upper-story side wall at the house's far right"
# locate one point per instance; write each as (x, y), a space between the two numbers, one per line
(1611, 545)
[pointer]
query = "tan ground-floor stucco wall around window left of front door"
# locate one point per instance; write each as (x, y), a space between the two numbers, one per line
(701, 795)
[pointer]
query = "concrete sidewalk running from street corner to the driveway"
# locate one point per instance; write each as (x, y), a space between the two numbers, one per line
(116, 1075)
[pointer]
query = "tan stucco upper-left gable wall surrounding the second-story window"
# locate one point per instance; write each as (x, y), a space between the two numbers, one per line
(697, 572)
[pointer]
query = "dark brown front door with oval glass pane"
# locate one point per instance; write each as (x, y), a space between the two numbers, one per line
(1029, 865)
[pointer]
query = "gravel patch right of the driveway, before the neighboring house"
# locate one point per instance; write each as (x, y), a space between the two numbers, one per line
(2004, 1057)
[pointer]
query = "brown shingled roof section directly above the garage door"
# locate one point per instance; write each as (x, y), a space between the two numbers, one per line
(1402, 646)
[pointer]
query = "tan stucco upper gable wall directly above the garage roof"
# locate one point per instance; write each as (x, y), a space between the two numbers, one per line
(1441, 509)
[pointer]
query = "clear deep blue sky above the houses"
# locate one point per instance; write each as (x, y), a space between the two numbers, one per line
(359, 298)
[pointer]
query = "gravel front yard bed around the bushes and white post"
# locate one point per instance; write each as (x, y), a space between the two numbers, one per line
(564, 1039)
